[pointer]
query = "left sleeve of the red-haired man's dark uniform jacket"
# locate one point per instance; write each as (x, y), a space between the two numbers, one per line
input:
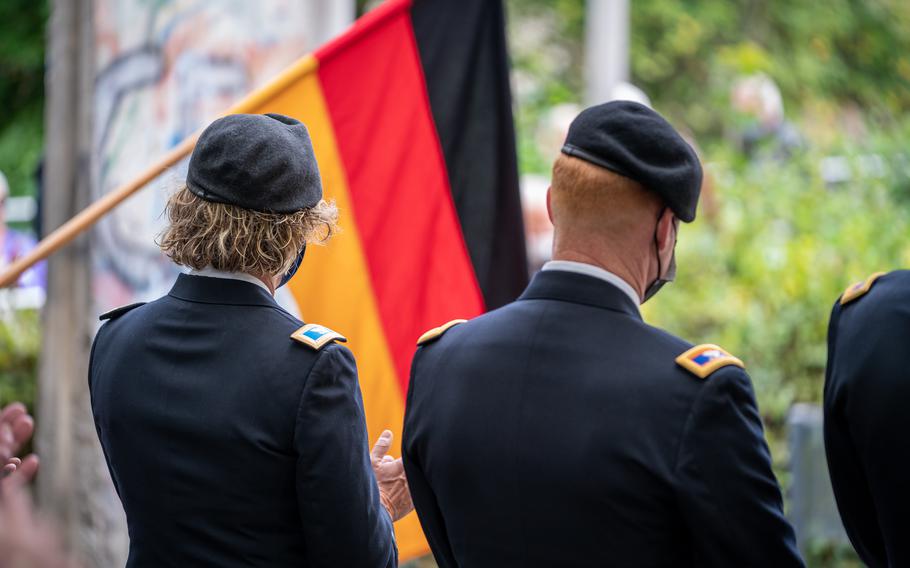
(425, 503)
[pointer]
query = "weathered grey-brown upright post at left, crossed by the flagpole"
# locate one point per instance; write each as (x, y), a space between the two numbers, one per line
(74, 486)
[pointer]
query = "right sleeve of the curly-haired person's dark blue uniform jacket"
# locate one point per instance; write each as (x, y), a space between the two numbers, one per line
(343, 521)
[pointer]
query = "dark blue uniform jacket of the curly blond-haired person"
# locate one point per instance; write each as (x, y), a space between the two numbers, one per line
(229, 443)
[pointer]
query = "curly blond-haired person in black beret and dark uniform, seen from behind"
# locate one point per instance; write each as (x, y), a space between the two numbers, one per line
(235, 434)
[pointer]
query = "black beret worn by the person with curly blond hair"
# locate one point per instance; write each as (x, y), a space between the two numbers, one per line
(263, 162)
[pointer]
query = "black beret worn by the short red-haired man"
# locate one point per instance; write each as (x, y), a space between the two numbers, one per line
(634, 141)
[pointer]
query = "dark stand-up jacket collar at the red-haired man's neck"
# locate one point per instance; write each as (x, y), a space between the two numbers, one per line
(553, 284)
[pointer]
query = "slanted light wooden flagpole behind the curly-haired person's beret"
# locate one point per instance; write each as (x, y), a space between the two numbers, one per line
(64, 234)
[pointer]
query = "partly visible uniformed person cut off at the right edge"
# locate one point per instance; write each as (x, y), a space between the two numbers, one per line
(867, 391)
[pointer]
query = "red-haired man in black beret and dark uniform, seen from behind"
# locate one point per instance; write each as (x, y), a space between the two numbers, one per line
(595, 439)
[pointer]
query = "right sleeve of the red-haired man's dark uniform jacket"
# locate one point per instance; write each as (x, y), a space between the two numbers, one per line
(727, 491)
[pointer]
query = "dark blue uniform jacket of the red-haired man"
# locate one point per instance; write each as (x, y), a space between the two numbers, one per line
(559, 431)
